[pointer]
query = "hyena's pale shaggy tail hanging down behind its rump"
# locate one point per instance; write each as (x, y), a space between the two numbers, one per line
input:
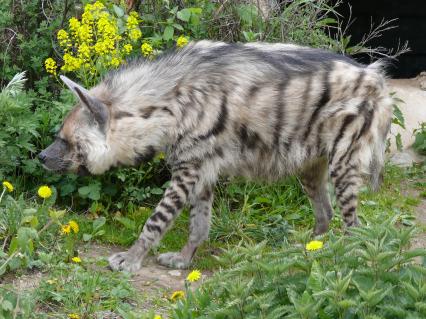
(380, 125)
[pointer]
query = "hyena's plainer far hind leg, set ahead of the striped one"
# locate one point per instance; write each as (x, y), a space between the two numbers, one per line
(314, 179)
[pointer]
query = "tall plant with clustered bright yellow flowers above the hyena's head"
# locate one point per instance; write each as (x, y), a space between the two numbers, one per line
(97, 42)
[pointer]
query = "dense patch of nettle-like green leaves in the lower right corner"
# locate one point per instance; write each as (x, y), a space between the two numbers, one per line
(370, 274)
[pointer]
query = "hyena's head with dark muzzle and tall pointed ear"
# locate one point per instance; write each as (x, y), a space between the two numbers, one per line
(81, 144)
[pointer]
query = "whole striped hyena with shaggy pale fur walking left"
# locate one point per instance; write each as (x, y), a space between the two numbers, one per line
(262, 111)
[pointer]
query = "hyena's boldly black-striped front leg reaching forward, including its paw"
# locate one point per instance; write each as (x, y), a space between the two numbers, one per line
(175, 196)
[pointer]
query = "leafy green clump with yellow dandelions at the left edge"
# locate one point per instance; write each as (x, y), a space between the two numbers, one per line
(28, 231)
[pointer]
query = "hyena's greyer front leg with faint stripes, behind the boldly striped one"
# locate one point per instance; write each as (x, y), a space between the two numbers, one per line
(200, 214)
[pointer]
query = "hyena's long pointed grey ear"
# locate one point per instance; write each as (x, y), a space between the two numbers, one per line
(96, 107)
